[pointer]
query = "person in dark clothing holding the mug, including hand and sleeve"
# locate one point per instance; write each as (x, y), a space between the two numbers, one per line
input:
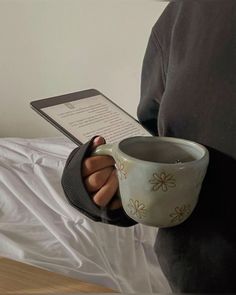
(188, 90)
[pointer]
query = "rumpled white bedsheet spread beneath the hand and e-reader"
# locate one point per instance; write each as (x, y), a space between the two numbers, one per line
(39, 227)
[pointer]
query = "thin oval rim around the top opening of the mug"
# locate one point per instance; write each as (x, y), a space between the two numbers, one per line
(194, 144)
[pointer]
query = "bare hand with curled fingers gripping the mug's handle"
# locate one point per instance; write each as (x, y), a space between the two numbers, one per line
(100, 178)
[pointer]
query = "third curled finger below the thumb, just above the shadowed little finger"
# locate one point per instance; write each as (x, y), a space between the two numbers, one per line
(104, 195)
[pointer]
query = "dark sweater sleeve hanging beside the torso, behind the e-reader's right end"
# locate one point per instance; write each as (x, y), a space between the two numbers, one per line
(152, 85)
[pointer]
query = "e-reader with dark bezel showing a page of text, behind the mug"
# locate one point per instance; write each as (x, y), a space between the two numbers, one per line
(91, 115)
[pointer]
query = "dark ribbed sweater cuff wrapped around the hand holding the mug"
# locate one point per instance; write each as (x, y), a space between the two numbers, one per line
(77, 195)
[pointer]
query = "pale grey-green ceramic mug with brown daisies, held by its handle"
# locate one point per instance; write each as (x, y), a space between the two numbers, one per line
(159, 177)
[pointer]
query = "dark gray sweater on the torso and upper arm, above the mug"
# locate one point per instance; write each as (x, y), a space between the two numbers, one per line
(189, 74)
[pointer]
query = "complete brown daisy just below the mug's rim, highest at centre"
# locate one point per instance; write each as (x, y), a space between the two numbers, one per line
(162, 181)
